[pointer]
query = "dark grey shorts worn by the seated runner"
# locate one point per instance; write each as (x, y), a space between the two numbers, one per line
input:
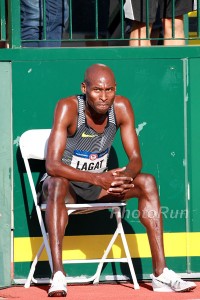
(85, 192)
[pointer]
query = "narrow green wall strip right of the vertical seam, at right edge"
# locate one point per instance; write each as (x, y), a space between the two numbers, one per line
(193, 149)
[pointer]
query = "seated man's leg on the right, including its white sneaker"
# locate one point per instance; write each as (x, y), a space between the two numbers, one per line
(145, 189)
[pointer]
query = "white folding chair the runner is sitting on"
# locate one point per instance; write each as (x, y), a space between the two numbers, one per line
(33, 145)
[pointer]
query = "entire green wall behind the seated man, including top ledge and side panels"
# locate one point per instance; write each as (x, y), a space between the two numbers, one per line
(162, 85)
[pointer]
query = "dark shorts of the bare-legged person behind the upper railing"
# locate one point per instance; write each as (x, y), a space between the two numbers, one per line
(137, 9)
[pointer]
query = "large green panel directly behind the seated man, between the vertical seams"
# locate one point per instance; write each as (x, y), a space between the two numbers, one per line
(156, 91)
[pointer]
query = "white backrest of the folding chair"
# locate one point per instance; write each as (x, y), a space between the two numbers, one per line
(33, 143)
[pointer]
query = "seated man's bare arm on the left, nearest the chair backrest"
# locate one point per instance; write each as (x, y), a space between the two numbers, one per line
(63, 126)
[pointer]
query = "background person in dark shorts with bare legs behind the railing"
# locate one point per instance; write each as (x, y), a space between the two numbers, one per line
(173, 30)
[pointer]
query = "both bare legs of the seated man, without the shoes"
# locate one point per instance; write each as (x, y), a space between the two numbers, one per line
(145, 189)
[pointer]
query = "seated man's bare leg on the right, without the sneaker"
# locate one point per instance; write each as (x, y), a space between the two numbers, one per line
(145, 189)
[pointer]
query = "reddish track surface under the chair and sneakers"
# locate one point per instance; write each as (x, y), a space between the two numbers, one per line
(121, 291)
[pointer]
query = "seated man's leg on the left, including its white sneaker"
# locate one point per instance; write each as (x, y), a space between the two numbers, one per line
(54, 193)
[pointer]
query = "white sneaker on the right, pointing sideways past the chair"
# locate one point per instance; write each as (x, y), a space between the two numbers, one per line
(169, 281)
